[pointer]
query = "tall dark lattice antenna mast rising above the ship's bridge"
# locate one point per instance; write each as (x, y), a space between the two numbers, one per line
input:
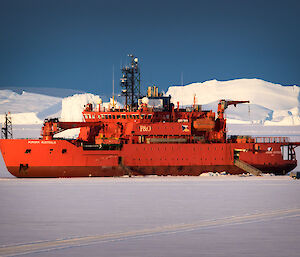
(130, 83)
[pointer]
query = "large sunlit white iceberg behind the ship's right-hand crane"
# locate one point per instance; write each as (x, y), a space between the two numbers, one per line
(270, 104)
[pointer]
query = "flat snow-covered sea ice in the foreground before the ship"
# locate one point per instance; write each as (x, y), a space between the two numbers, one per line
(188, 216)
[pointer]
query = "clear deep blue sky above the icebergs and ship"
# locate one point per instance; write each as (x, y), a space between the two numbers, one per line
(75, 43)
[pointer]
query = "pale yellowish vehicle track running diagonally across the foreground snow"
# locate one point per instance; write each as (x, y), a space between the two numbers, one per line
(41, 246)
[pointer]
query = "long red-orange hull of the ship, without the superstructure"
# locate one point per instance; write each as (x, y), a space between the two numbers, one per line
(61, 158)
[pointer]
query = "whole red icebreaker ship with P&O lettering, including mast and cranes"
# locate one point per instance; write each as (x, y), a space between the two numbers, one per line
(149, 136)
